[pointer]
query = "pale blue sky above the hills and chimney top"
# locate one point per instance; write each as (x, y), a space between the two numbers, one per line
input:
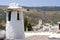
(32, 2)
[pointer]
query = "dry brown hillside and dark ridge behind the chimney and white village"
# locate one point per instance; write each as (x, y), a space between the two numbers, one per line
(34, 14)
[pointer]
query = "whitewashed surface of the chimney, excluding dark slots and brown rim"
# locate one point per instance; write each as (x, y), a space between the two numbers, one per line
(15, 28)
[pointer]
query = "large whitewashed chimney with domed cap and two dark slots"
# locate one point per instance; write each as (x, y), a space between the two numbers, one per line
(14, 22)
